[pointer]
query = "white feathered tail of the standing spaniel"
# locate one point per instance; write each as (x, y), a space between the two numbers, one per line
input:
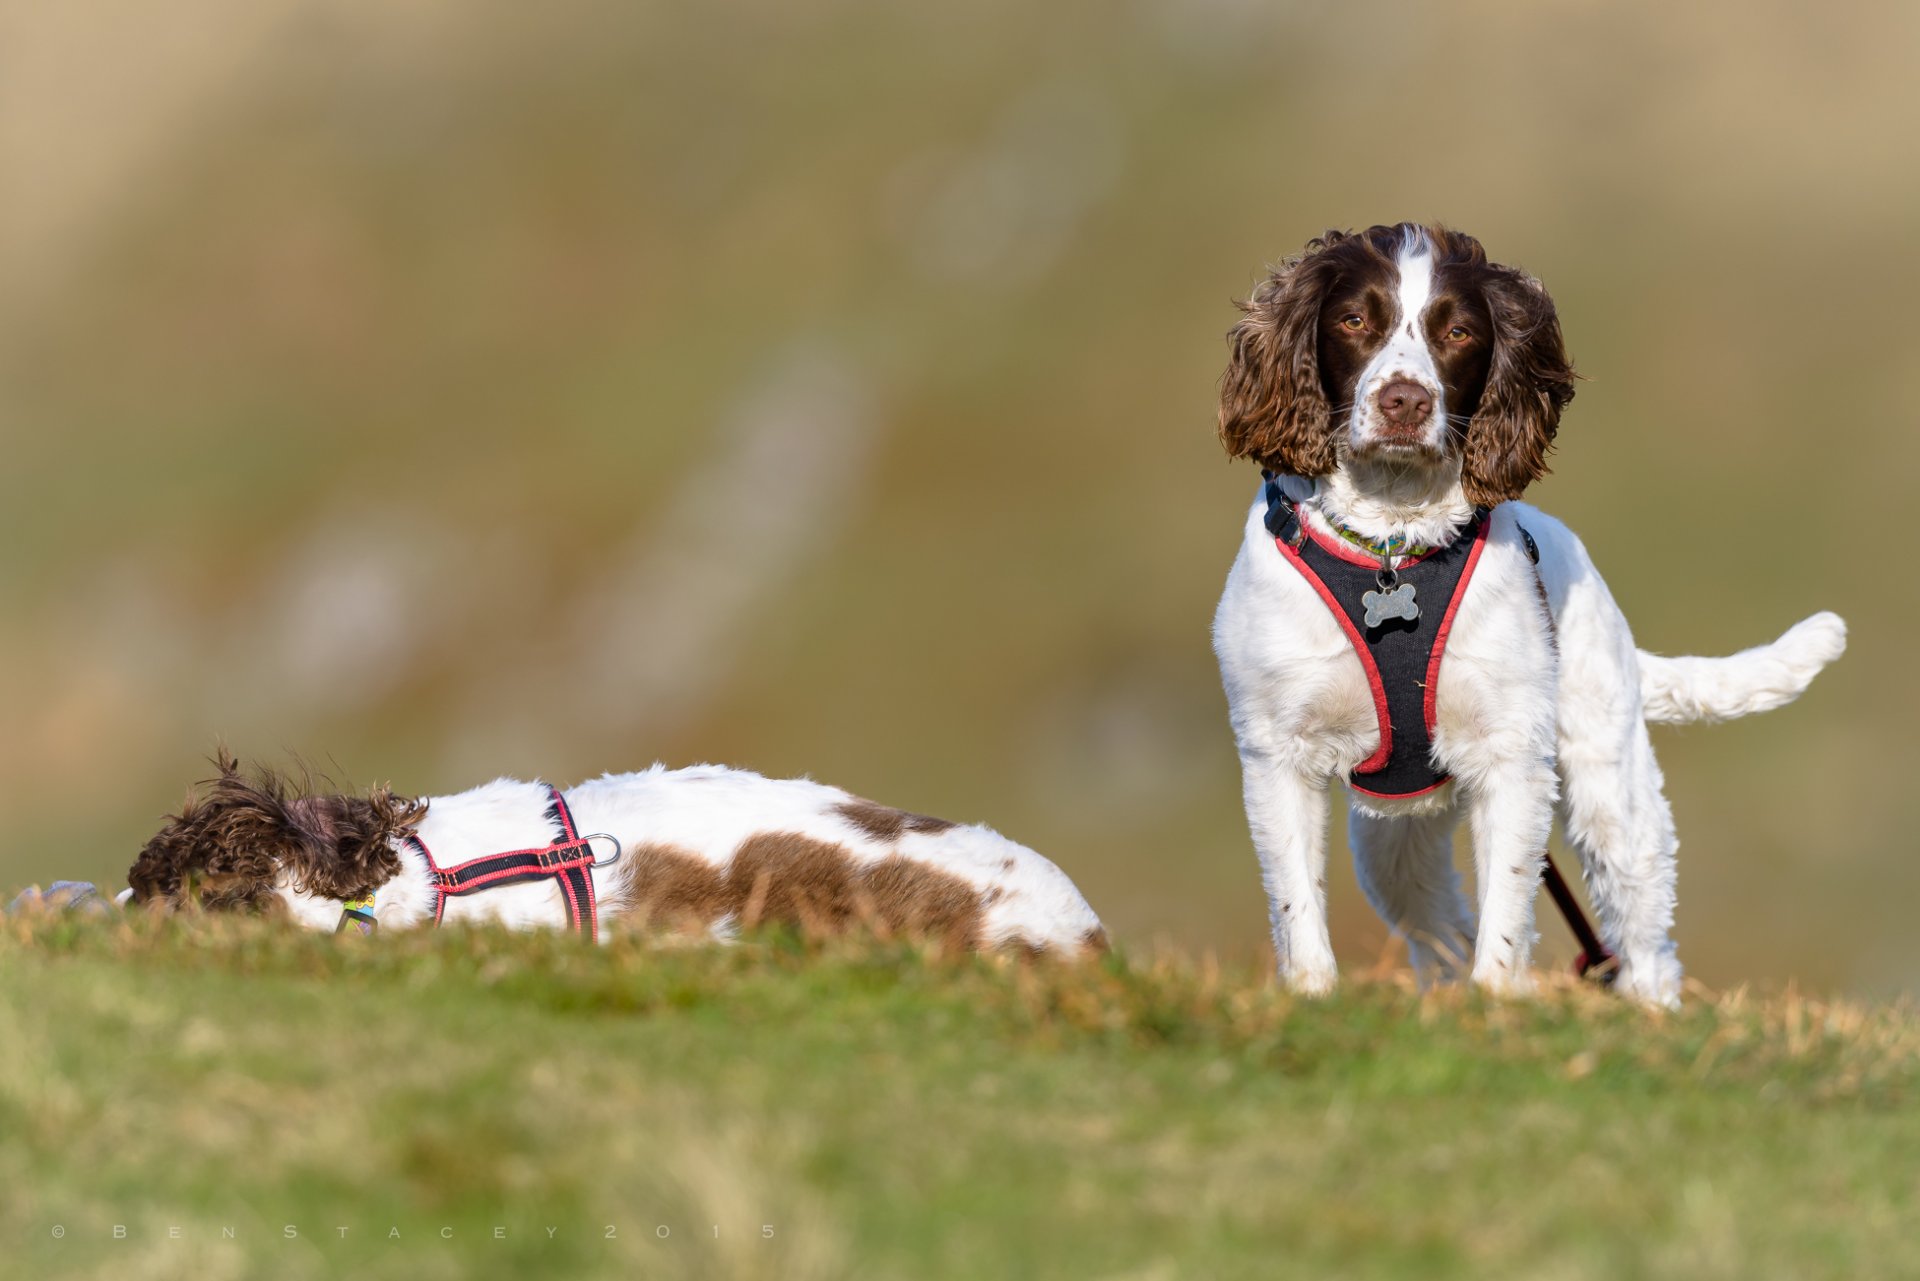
(1752, 681)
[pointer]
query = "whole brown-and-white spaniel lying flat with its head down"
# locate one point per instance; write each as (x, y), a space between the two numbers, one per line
(706, 848)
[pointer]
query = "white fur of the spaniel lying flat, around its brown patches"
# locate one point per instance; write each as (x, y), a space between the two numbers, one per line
(706, 811)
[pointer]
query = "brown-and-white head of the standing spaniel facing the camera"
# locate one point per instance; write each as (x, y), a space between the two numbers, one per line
(1399, 345)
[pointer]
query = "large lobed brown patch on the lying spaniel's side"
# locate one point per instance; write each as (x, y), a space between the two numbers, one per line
(817, 886)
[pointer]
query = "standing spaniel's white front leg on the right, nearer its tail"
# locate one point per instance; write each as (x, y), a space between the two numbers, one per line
(1512, 817)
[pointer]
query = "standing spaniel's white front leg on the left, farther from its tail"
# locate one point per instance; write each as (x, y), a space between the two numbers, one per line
(1287, 813)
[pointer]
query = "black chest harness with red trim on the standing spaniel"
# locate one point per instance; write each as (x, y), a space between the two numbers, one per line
(1401, 654)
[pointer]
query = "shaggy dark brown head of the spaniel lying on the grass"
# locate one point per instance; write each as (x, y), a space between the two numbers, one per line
(252, 842)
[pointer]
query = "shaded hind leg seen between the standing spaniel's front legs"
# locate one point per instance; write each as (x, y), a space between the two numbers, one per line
(1406, 871)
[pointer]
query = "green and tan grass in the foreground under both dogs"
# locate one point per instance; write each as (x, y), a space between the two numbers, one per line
(477, 1103)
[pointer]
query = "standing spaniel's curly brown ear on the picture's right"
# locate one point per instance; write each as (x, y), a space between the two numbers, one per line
(1527, 387)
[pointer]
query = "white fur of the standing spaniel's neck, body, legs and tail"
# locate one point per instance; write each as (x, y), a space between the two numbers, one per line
(1525, 713)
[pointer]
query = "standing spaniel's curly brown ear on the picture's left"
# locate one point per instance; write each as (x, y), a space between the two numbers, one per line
(1272, 404)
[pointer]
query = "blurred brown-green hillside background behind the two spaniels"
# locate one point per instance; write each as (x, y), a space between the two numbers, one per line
(446, 391)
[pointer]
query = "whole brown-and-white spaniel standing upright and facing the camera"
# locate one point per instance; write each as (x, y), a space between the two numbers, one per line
(1399, 619)
